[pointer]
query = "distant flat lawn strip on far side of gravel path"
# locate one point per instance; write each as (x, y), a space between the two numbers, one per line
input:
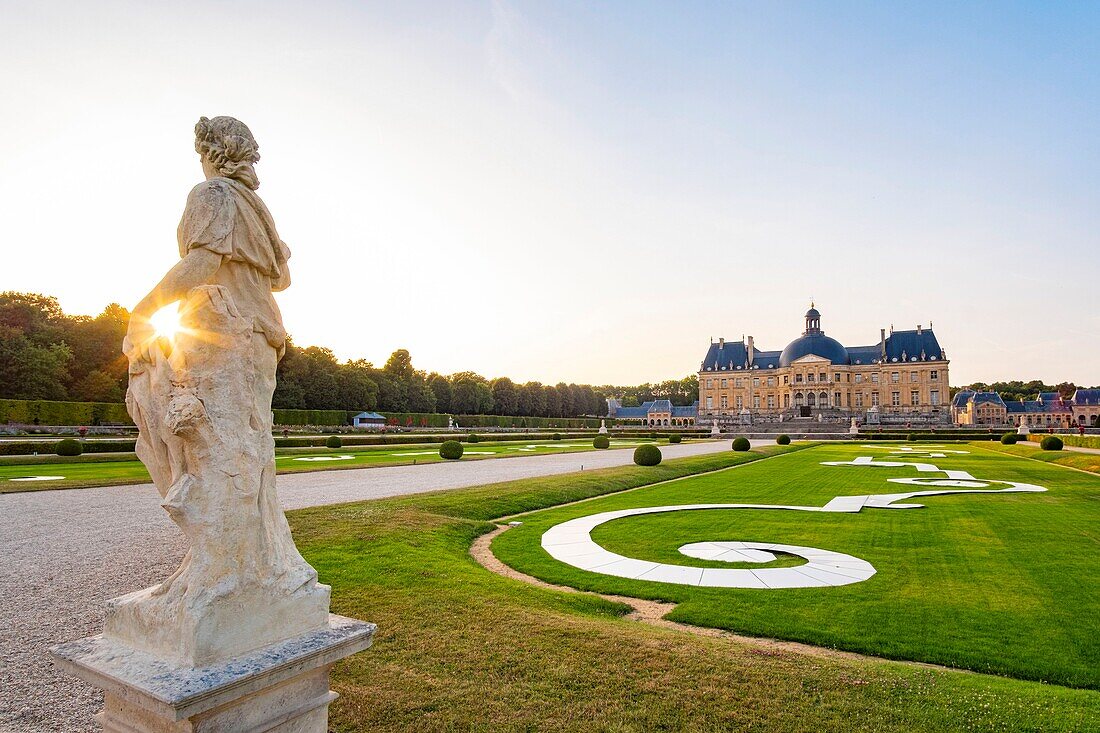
(109, 472)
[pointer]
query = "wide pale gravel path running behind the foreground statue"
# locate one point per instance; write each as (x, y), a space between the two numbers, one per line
(64, 553)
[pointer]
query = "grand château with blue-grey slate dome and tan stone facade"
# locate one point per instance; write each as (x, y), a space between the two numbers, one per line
(901, 379)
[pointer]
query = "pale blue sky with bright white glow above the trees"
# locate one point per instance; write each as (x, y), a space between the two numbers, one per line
(585, 192)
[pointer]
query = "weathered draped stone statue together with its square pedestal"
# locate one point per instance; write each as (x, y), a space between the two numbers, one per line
(244, 601)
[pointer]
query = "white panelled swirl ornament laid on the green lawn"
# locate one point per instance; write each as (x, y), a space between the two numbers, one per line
(571, 542)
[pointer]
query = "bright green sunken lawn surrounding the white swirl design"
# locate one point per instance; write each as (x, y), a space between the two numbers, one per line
(1005, 584)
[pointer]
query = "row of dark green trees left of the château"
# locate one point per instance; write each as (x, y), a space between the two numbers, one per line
(49, 355)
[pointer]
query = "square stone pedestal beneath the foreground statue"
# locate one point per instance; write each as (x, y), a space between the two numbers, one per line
(283, 687)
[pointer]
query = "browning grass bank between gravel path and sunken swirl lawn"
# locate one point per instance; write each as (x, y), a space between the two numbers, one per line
(460, 649)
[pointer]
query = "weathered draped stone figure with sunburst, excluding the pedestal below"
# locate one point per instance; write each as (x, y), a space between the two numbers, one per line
(203, 406)
